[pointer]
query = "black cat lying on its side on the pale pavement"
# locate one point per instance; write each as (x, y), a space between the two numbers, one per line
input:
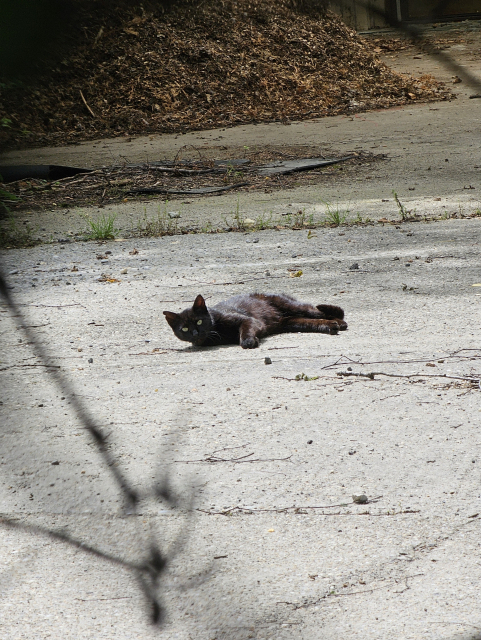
(245, 319)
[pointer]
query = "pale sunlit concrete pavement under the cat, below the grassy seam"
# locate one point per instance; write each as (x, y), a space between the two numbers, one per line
(295, 558)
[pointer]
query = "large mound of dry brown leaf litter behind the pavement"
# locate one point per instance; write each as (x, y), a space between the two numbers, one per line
(139, 70)
